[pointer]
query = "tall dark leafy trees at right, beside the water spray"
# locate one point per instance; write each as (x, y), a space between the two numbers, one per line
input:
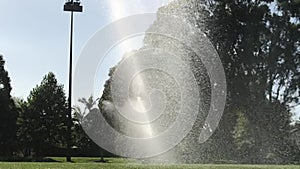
(260, 52)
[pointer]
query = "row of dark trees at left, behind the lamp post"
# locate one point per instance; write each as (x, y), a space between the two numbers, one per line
(37, 127)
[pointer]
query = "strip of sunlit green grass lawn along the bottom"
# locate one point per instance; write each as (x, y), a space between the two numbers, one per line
(120, 163)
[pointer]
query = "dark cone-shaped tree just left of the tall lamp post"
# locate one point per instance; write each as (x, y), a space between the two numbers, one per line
(47, 113)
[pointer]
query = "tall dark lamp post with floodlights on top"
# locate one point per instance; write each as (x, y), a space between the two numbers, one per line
(71, 6)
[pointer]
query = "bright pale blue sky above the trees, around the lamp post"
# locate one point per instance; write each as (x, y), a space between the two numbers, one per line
(34, 36)
